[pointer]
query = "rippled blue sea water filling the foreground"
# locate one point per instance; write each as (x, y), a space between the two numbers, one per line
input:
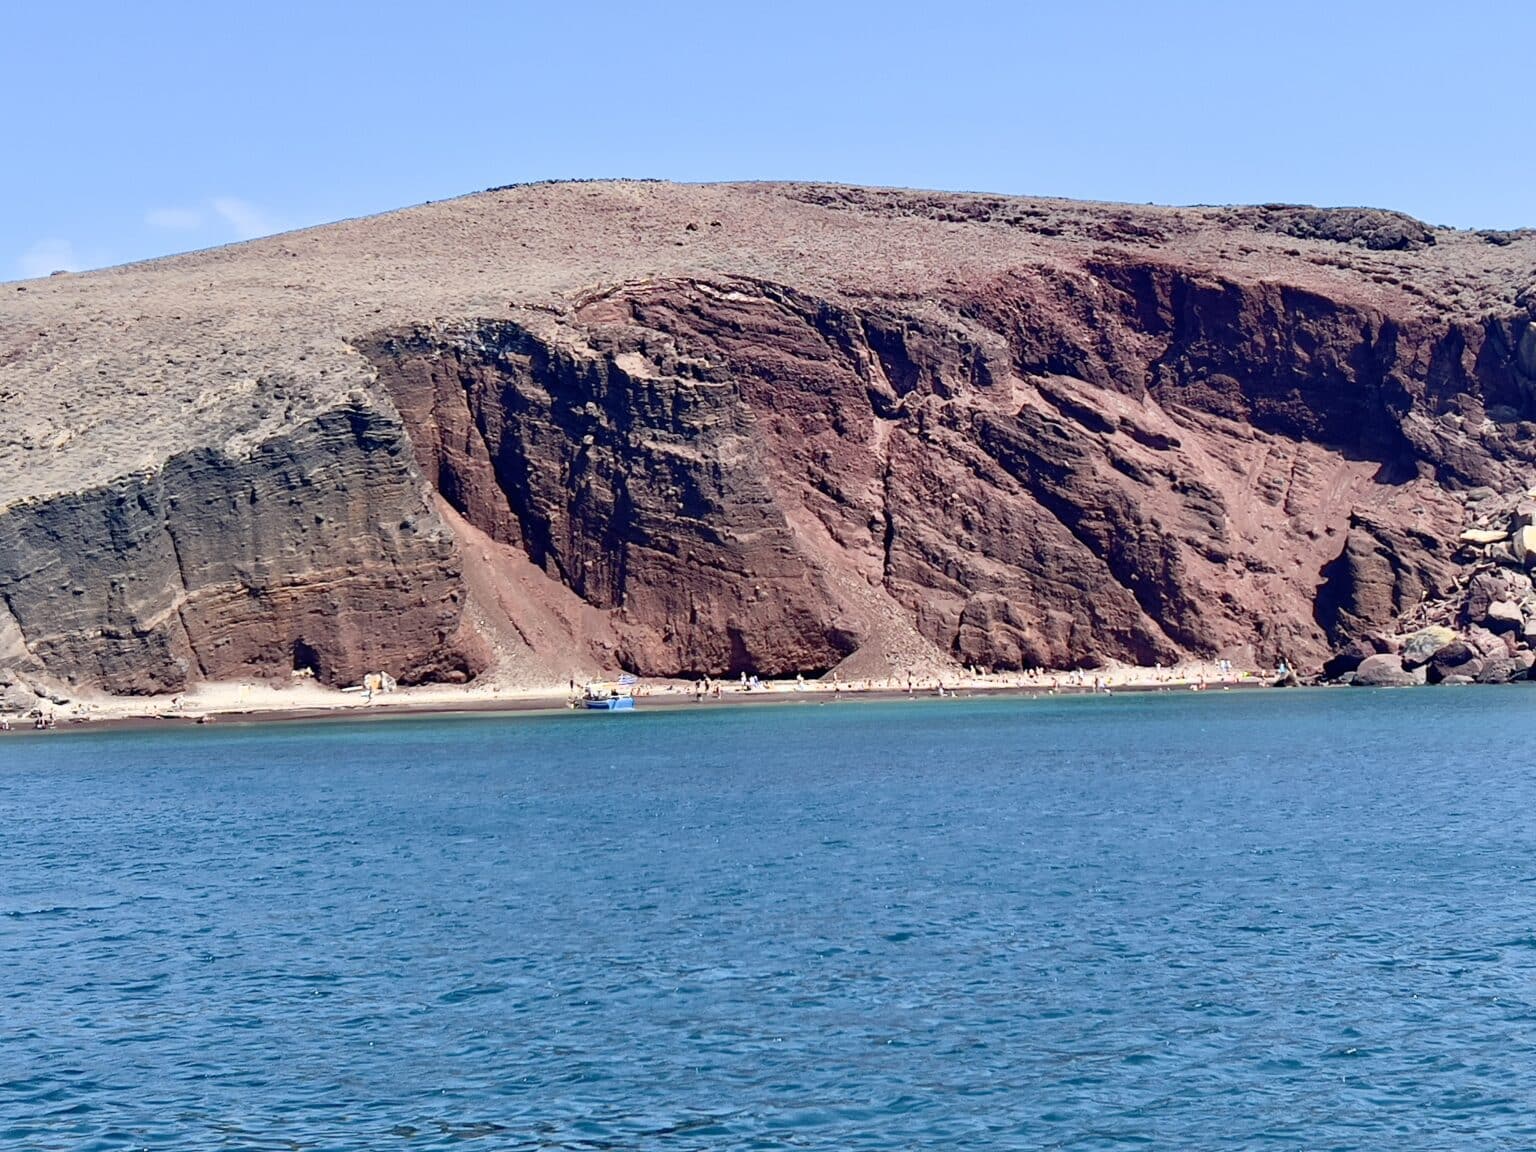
(1225, 921)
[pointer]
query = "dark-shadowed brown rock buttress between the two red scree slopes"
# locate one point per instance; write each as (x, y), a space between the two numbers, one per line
(640, 492)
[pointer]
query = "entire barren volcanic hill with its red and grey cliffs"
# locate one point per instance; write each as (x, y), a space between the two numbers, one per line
(769, 428)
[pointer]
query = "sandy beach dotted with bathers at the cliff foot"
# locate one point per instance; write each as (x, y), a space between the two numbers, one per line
(303, 700)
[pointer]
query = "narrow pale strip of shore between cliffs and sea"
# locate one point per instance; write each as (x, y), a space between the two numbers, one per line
(243, 704)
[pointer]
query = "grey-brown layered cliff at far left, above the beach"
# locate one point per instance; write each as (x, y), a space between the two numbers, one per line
(217, 568)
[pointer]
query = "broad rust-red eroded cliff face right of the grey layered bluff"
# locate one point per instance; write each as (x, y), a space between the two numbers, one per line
(712, 460)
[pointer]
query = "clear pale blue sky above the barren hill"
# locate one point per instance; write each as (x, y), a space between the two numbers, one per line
(145, 128)
